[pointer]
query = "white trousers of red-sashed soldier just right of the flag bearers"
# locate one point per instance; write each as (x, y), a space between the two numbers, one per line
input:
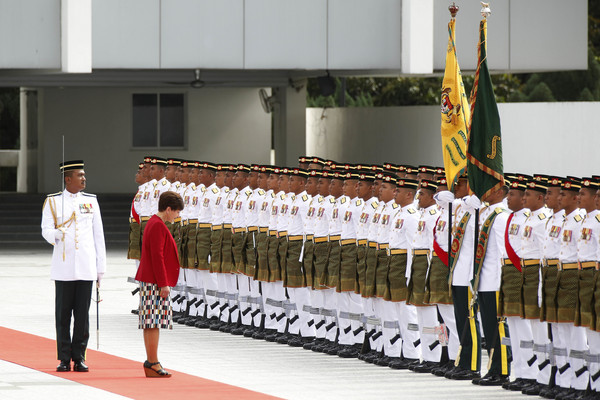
(521, 346)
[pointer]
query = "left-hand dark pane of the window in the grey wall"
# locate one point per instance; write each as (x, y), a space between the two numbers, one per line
(145, 120)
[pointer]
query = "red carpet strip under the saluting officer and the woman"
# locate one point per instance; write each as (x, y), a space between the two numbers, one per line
(114, 374)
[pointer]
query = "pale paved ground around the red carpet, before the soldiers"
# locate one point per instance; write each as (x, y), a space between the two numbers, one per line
(279, 370)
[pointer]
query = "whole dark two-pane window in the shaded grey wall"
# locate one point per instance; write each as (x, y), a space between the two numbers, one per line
(158, 120)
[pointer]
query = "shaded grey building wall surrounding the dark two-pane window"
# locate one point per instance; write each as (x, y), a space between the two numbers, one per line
(225, 125)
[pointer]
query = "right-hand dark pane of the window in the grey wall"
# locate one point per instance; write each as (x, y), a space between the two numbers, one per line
(171, 120)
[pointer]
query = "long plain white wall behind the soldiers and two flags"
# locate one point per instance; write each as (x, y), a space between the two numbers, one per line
(548, 138)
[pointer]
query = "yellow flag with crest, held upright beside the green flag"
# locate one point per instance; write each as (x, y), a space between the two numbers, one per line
(455, 115)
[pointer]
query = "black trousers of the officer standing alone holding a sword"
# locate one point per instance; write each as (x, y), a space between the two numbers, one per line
(72, 298)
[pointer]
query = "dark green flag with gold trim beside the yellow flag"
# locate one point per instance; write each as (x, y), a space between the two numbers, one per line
(484, 153)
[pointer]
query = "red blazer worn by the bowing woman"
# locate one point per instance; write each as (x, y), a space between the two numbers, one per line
(159, 262)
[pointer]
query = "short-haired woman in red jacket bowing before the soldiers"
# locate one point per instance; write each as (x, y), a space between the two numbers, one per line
(158, 271)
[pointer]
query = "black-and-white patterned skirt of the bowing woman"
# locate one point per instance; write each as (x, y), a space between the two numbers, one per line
(154, 312)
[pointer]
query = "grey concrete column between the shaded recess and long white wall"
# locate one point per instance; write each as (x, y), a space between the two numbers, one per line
(289, 123)
